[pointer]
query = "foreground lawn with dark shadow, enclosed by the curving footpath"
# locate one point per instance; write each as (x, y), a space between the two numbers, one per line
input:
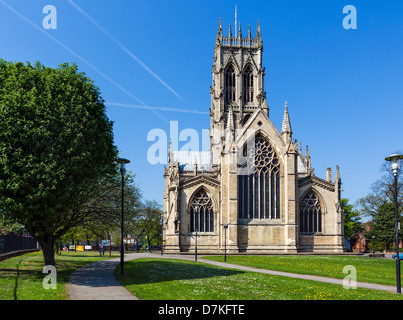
(170, 279)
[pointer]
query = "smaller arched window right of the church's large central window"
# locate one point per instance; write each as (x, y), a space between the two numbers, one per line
(310, 214)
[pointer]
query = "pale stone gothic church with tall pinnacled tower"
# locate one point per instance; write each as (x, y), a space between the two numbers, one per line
(254, 191)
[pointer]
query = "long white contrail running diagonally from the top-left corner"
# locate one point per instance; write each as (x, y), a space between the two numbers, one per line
(79, 57)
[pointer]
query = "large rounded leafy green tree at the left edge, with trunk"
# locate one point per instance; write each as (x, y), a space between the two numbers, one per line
(56, 145)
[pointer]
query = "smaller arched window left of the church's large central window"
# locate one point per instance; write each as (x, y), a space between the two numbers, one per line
(201, 213)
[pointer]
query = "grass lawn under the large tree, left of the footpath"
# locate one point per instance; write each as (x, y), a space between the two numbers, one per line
(21, 277)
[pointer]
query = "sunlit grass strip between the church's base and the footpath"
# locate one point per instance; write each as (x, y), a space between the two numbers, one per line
(372, 270)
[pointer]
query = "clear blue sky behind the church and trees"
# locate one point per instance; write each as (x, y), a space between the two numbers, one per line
(343, 87)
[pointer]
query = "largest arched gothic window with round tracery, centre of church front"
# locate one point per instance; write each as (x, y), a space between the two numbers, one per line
(259, 183)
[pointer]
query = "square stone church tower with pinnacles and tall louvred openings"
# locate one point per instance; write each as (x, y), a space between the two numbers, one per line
(237, 90)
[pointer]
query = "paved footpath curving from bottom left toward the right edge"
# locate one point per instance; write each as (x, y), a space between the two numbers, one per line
(97, 281)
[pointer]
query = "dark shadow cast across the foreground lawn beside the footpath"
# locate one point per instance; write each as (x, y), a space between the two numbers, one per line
(144, 271)
